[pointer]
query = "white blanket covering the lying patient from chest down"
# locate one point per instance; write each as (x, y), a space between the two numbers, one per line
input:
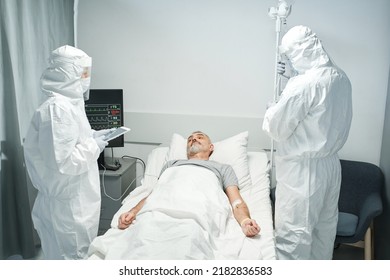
(187, 216)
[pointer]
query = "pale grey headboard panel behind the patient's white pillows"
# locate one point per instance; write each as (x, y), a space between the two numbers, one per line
(157, 128)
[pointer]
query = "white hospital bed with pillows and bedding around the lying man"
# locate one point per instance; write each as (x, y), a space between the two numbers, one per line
(188, 221)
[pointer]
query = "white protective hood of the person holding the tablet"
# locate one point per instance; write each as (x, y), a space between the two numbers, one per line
(67, 65)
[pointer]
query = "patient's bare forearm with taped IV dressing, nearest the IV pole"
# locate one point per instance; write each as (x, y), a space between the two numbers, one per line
(241, 212)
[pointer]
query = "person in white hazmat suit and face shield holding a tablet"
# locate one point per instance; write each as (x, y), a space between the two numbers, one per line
(61, 152)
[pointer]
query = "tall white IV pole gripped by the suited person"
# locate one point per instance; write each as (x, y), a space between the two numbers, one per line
(279, 14)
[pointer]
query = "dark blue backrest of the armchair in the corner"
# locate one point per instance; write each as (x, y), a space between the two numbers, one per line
(359, 180)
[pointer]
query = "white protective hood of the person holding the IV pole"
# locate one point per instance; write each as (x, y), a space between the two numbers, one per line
(304, 50)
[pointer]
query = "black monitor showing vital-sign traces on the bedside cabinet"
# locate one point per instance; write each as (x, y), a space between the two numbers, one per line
(104, 109)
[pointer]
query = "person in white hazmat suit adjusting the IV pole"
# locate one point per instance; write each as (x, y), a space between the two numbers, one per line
(310, 124)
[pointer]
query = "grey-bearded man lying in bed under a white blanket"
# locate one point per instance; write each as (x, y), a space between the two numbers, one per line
(186, 215)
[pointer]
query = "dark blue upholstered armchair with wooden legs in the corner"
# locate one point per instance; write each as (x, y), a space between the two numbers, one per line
(359, 203)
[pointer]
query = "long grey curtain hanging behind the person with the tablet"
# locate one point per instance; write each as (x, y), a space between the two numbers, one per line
(29, 31)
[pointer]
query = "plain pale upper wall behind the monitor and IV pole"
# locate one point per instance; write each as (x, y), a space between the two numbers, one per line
(216, 57)
